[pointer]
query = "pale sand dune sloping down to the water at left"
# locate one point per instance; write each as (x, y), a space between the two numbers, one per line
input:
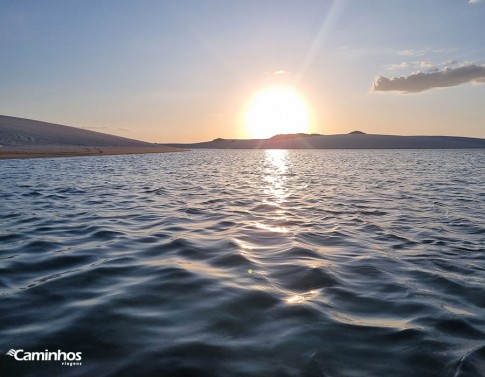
(20, 138)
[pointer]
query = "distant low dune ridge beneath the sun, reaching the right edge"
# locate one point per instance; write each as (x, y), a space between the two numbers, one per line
(354, 140)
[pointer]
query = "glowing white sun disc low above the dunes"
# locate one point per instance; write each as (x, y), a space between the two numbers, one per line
(277, 110)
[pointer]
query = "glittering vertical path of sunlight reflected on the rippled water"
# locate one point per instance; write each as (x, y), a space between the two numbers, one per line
(274, 227)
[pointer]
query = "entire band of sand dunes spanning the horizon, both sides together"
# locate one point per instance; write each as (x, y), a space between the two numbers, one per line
(22, 138)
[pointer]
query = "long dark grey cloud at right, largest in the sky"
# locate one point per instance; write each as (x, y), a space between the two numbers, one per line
(421, 81)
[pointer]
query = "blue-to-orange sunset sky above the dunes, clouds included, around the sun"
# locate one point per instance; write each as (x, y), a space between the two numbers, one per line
(187, 70)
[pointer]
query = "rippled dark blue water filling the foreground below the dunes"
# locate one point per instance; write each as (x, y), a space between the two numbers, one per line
(245, 263)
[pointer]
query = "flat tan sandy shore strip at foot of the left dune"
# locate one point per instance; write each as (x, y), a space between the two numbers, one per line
(68, 151)
